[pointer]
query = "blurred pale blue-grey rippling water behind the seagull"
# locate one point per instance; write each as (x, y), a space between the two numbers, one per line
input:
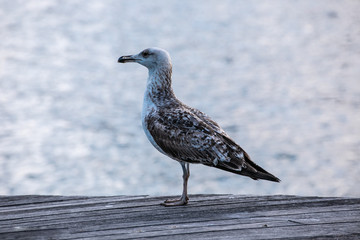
(281, 77)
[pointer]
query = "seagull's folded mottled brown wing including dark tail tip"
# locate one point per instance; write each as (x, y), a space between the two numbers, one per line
(187, 136)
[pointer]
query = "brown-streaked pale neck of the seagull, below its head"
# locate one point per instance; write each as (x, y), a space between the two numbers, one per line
(159, 88)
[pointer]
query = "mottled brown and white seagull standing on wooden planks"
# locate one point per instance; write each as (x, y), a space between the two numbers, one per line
(183, 133)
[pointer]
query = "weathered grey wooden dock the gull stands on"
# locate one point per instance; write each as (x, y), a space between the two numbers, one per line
(205, 217)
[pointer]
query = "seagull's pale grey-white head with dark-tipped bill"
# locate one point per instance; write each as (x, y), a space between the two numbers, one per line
(151, 58)
